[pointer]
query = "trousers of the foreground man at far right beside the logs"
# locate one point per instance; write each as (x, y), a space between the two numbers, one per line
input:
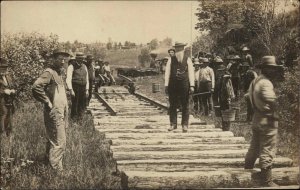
(263, 145)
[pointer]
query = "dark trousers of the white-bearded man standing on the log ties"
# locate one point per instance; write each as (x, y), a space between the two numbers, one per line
(179, 92)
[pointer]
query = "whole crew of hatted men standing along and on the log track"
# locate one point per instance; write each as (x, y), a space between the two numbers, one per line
(210, 80)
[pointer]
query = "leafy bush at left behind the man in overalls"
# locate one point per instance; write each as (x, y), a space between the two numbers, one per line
(25, 53)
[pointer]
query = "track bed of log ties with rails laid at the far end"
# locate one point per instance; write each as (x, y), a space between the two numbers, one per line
(153, 158)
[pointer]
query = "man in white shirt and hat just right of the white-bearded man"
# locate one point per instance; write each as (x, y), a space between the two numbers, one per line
(207, 85)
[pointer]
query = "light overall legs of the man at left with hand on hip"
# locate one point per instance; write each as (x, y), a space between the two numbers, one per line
(55, 123)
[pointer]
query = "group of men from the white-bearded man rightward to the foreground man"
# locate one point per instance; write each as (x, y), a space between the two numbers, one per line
(213, 82)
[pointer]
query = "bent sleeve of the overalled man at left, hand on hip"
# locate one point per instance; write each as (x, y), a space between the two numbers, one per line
(38, 89)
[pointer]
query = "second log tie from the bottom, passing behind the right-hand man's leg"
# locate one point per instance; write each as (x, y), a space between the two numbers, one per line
(176, 165)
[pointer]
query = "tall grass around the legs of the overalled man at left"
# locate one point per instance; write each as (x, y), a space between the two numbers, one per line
(88, 161)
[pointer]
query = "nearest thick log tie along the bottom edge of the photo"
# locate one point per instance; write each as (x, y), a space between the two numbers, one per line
(205, 179)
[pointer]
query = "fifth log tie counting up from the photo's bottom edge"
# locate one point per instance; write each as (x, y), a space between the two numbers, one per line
(223, 140)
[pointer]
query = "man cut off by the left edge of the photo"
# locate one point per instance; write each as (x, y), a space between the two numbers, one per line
(6, 99)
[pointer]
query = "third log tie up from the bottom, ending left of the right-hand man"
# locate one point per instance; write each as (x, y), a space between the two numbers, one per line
(189, 155)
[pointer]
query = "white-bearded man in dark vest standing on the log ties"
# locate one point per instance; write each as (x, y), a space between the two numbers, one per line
(179, 83)
